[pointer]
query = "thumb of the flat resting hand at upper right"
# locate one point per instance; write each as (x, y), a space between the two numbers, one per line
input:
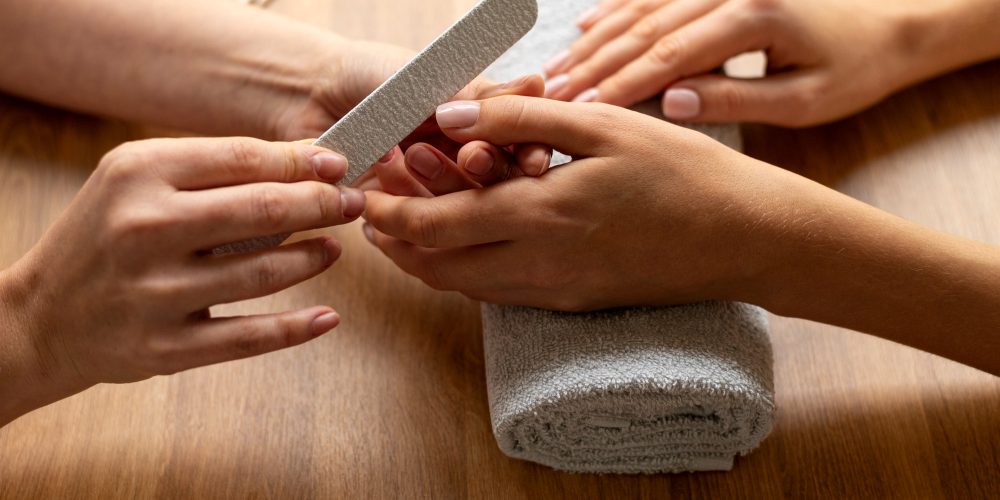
(778, 100)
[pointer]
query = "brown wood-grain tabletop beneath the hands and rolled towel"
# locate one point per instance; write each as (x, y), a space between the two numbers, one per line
(393, 404)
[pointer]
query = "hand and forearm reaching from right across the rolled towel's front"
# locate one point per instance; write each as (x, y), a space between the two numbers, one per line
(654, 214)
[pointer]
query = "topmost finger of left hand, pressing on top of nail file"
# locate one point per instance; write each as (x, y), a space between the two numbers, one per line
(205, 163)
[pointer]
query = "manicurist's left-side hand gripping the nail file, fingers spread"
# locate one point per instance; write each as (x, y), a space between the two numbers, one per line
(119, 288)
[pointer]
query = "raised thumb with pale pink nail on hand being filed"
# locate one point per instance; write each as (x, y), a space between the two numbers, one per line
(573, 128)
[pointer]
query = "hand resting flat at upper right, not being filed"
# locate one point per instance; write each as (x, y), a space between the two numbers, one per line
(821, 55)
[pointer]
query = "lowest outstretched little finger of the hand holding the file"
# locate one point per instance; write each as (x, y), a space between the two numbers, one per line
(226, 339)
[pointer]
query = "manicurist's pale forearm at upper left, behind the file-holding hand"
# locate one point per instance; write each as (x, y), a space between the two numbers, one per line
(206, 66)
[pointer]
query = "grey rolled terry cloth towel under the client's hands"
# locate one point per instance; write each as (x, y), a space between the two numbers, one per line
(639, 390)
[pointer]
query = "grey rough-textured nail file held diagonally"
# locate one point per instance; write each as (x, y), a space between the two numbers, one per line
(408, 98)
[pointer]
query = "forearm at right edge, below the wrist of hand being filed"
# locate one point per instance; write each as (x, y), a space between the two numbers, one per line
(841, 262)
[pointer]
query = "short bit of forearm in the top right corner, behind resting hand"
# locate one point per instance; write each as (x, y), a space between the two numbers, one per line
(944, 35)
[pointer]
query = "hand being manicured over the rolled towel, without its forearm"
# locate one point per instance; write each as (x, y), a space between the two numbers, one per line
(650, 213)
